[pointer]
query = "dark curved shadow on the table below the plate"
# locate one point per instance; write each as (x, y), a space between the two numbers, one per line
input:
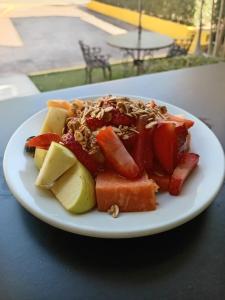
(170, 250)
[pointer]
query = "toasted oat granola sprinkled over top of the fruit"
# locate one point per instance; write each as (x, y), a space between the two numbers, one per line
(102, 109)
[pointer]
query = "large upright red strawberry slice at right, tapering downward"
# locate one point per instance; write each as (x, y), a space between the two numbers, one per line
(168, 141)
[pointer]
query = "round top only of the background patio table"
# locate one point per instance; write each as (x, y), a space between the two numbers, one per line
(149, 41)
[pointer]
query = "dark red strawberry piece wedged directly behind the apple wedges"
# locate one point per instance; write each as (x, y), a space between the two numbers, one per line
(86, 159)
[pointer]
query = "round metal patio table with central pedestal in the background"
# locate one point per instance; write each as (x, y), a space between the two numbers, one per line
(138, 46)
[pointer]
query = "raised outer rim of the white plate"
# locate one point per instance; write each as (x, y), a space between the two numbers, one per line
(88, 231)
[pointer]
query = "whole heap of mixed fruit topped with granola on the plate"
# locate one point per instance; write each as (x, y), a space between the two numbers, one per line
(112, 153)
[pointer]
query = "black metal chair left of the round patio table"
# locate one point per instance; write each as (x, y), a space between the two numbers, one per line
(94, 58)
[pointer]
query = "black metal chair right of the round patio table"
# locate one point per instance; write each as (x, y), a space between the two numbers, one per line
(180, 47)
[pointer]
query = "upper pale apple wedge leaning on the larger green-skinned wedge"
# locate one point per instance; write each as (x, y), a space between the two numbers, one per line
(58, 159)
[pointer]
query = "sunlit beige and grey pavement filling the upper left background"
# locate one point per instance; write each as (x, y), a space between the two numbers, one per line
(37, 35)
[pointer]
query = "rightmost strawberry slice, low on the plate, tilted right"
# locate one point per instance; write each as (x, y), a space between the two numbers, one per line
(187, 163)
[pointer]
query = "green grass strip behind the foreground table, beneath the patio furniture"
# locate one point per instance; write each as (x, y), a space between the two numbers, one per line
(76, 77)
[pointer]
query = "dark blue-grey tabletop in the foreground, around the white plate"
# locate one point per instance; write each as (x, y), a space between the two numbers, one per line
(38, 261)
